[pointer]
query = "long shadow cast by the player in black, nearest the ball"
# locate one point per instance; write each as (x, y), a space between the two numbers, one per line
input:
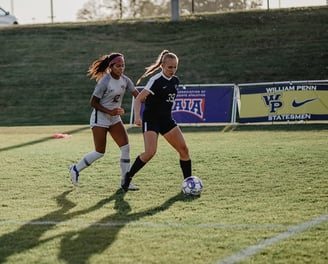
(80, 246)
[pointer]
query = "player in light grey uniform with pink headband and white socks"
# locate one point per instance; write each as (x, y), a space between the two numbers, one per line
(106, 101)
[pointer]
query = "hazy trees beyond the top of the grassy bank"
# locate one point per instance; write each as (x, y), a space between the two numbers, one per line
(120, 9)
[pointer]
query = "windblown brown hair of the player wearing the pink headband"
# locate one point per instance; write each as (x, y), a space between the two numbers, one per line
(100, 66)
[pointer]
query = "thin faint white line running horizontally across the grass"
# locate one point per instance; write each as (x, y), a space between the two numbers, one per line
(148, 224)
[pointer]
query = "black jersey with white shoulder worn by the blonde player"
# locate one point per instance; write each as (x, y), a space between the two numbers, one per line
(163, 92)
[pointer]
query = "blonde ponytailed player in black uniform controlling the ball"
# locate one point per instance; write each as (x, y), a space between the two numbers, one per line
(158, 96)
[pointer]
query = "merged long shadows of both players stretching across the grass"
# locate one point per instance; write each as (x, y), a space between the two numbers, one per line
(78, 246)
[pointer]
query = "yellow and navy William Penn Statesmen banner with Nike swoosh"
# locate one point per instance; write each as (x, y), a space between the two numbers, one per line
(283, 102)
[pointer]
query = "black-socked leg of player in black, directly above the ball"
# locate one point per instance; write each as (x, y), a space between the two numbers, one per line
(177, 141)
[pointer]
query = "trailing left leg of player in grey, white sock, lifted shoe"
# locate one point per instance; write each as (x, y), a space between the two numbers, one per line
(99, 137)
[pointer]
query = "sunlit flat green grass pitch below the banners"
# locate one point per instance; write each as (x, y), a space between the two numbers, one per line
(264, 201)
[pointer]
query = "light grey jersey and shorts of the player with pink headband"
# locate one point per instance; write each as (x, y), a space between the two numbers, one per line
(110, 92)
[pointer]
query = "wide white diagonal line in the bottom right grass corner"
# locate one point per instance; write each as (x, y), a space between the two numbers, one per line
(252, 250)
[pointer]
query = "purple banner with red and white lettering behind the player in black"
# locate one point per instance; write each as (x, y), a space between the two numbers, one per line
(203, 104)
